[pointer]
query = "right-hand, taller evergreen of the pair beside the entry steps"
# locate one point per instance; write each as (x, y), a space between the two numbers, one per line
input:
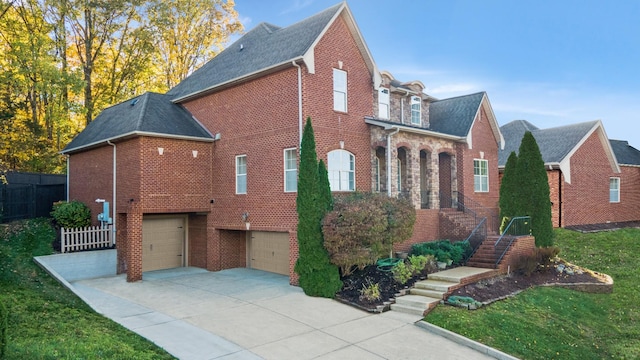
(533, 190)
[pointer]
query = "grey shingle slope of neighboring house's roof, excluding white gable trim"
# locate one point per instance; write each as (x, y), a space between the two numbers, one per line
(554, 143)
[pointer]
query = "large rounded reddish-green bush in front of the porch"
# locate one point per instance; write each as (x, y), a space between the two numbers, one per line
(363, 227)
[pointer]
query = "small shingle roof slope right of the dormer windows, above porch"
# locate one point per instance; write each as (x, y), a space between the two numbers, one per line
(454, 116)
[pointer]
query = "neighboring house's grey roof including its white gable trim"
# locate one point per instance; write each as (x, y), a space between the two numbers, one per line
(557, 144)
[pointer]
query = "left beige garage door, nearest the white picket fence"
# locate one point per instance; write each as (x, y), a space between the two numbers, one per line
(162, 243)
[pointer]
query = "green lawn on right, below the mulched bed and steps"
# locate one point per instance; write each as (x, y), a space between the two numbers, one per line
(554, 323)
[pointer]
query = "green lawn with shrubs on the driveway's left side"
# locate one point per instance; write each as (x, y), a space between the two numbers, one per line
(46, 321)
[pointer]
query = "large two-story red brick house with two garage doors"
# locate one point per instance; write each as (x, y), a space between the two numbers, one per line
(206, 174)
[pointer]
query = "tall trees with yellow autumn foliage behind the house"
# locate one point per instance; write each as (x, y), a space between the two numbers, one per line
(63, 61)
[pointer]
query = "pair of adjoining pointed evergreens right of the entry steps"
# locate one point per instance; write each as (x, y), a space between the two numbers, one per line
(525, 190)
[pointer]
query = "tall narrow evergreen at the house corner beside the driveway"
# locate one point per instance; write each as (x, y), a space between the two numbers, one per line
(317, 275)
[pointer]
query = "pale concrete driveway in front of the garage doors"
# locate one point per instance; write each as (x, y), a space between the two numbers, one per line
(251, 314)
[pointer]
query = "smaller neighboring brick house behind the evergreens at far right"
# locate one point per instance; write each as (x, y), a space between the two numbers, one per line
(587, 183)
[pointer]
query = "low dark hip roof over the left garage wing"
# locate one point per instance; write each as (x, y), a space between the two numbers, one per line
(149, 114)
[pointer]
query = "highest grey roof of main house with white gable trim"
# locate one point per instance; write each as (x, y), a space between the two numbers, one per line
(268, 48)
